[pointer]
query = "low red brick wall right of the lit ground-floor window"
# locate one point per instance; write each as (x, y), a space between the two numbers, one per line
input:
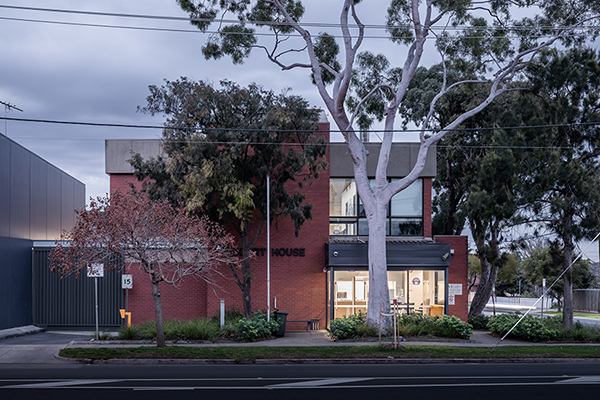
(458, 273)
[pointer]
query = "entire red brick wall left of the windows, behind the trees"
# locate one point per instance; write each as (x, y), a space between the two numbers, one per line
(298, 282)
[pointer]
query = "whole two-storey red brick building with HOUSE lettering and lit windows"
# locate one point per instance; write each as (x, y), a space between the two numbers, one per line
(322, 272)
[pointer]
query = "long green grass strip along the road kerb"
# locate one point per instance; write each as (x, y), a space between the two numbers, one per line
(332, 352)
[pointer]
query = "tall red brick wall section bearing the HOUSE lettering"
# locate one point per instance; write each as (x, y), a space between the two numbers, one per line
(298, 282)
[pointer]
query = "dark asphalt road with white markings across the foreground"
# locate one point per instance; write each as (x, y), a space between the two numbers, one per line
(436, 381)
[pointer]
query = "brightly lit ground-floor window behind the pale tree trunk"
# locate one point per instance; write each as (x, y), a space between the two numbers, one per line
(411, 291)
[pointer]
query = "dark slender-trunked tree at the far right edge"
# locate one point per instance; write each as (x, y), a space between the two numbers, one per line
(565, 186)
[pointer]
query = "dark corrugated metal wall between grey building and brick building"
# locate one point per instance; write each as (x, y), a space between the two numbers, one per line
(70, 301)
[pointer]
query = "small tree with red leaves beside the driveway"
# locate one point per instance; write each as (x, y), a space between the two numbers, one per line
(163, 241)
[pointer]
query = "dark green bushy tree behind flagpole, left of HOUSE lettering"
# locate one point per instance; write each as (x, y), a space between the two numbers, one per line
(220, 146)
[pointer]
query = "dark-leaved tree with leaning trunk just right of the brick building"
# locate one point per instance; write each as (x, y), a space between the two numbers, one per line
(481, 169)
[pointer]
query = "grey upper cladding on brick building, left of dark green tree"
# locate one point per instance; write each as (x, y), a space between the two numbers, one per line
(117, 152)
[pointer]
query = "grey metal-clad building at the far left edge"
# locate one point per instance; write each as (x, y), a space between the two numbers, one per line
(37, 201)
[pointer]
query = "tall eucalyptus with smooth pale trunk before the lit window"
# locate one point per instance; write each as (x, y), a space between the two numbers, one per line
(480, 36)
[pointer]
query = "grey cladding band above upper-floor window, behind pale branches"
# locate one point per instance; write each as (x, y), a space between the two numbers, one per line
(403, 157)
